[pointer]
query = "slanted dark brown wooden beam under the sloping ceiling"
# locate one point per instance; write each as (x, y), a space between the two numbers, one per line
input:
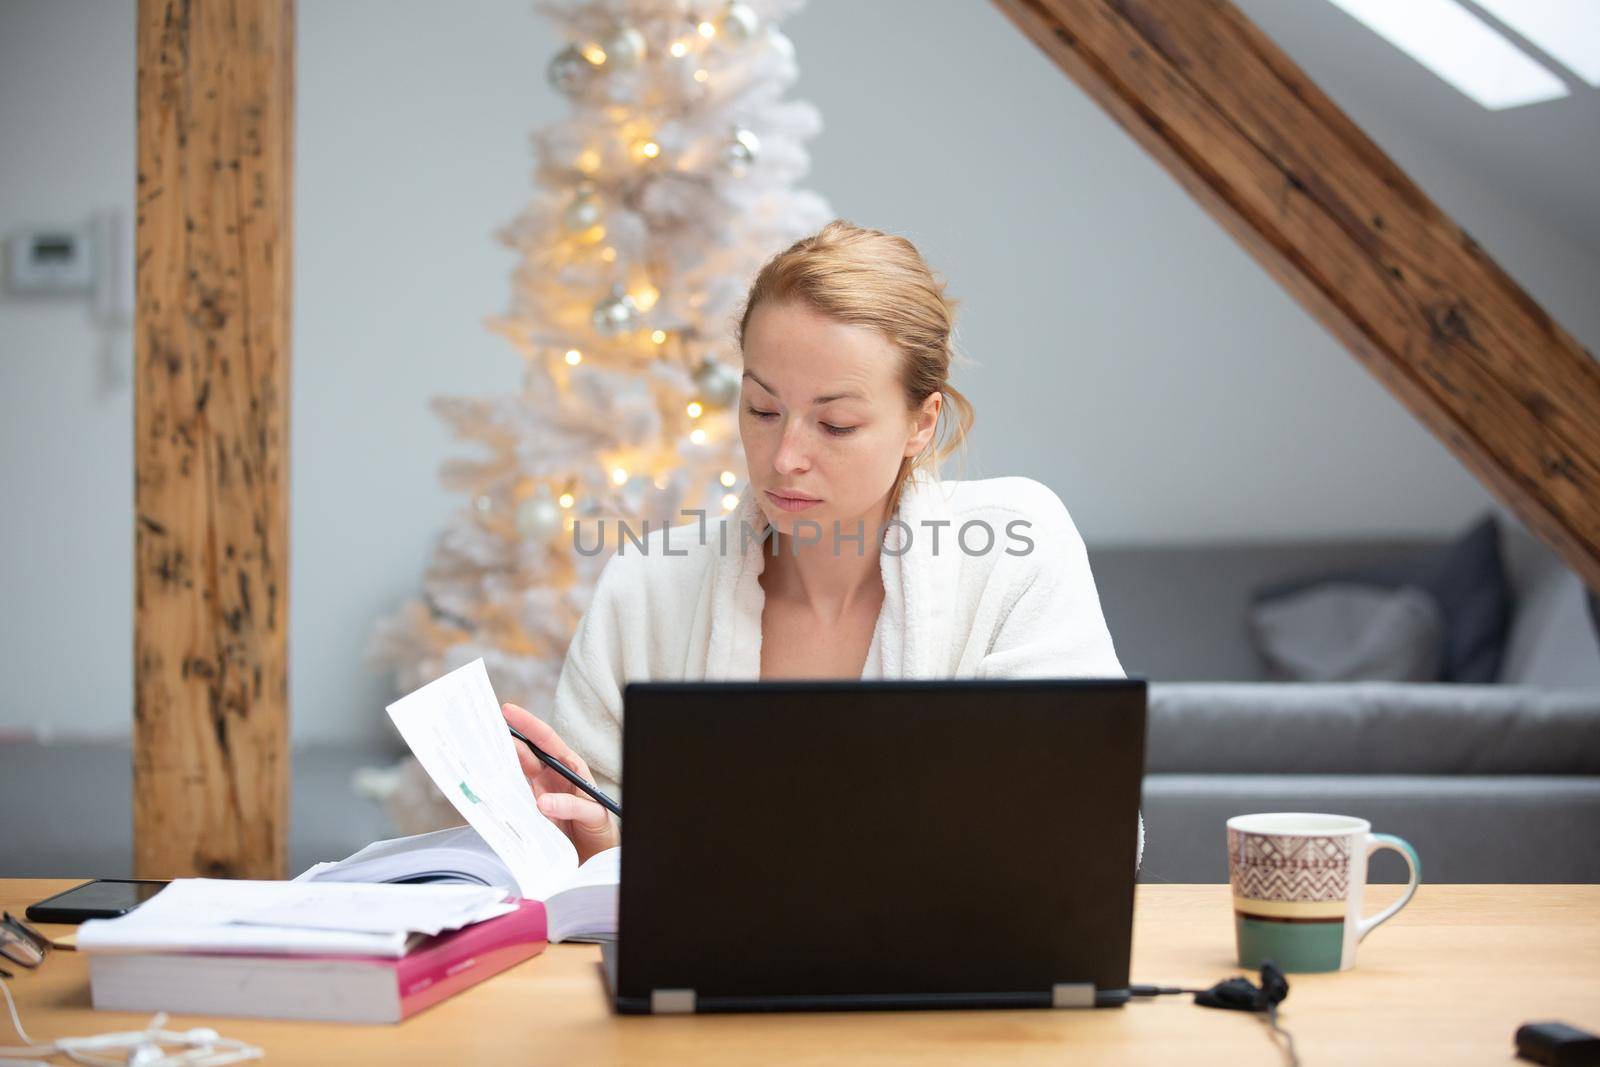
(1356, 241)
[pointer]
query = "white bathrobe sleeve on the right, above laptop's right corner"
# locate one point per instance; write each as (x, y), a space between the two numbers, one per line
(1055, 628)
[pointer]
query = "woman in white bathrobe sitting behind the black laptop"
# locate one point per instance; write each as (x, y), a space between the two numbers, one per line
(847, 356)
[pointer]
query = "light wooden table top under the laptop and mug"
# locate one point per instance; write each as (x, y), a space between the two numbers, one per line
(1444, 983)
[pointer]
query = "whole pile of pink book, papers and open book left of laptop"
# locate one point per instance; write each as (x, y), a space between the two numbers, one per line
(391, 930)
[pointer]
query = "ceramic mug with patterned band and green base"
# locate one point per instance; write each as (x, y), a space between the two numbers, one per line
(1298, 882)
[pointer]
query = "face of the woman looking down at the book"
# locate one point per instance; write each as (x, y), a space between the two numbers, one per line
(823, 420)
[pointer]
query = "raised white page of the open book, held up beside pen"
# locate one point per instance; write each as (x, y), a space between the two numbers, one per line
(457, 732)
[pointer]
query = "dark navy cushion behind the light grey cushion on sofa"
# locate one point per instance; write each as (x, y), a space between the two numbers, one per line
(1466, 580)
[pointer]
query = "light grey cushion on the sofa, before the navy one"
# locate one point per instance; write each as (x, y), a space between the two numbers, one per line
(1348, 633)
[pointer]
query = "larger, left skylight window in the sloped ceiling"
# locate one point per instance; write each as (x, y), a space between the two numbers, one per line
(1462, 49)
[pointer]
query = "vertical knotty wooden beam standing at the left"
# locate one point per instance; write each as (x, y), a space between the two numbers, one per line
(212, 350)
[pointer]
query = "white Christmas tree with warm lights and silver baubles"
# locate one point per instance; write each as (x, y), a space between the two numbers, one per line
(657, 202)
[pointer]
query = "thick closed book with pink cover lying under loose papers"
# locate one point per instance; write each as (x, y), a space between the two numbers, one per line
(335, 989)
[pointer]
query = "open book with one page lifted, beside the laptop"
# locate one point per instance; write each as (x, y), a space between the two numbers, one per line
(457, 732)
